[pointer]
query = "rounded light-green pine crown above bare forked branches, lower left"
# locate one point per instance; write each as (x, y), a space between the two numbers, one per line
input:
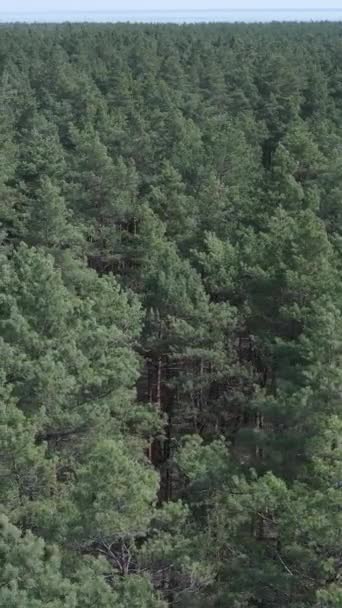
(114, 494)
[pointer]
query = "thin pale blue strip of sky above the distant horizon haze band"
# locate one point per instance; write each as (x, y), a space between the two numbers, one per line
(107, 5)
